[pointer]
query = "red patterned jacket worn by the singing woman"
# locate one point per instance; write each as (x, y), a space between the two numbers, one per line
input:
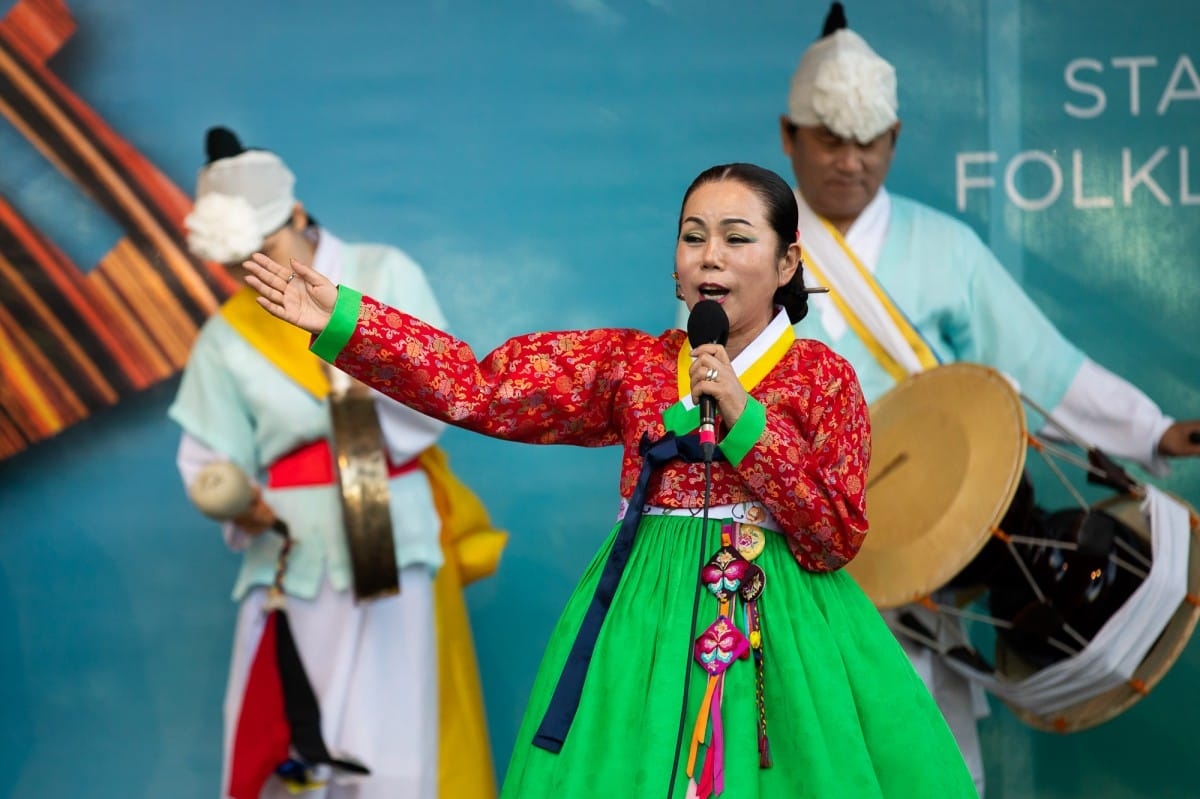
(596, 388)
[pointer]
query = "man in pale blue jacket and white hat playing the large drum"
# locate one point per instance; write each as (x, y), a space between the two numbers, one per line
(914, 287)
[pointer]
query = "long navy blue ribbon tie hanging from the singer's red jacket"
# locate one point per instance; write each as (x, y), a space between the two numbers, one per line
(563, 705)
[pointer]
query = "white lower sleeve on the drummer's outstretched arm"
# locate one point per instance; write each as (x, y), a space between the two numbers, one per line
(1114, 416)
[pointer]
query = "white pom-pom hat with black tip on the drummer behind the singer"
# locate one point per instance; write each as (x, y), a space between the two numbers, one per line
(845, 86)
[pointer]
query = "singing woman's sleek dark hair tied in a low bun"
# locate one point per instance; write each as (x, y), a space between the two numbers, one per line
(782, 214)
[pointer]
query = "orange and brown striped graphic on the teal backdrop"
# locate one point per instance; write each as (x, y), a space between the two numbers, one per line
(75, 341)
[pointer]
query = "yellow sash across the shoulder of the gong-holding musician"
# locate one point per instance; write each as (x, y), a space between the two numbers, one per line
(285, 346)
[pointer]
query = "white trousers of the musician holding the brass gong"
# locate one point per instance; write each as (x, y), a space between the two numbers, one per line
(374, 669)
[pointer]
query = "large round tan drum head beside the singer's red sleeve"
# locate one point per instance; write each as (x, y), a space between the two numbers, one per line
(949, 449)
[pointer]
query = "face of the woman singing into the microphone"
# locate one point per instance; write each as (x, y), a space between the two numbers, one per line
(728, 253)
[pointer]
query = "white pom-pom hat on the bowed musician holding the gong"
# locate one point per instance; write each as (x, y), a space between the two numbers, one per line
(242, 197)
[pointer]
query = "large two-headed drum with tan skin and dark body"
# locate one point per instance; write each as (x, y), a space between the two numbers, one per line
(953, 519)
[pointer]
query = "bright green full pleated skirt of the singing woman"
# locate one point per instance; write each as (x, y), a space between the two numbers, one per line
(847, 716)
